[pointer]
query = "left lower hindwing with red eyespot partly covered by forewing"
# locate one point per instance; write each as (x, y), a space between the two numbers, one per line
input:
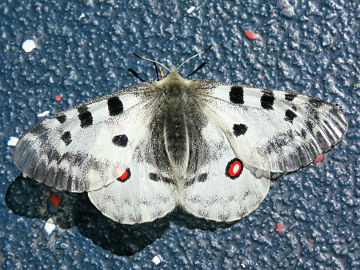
(143, 194)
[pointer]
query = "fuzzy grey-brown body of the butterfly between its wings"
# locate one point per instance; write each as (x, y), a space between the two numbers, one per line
(175, 121)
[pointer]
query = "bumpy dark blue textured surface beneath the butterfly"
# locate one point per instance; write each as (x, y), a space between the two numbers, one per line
(84, 50)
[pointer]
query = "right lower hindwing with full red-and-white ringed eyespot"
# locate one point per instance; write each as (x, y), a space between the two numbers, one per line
(223, 188)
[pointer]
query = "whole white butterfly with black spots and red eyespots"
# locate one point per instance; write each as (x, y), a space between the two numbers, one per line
(208, 147)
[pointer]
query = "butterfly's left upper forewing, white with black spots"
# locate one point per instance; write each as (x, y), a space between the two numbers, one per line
(89, 146)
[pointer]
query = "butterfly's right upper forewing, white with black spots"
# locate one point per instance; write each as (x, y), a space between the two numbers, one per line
(273, 130)
